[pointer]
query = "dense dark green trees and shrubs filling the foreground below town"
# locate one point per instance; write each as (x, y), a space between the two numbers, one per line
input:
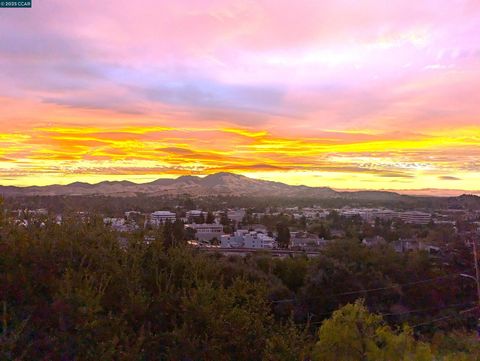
(72, 291)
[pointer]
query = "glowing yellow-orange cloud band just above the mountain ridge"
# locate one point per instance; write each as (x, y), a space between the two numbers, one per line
(97, 151)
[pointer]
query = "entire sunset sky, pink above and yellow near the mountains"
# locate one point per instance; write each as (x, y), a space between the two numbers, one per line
(346, 94)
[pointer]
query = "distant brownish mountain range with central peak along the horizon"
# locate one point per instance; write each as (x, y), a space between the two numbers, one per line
(216, 184)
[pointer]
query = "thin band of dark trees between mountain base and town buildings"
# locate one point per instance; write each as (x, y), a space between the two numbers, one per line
(115, 206)
